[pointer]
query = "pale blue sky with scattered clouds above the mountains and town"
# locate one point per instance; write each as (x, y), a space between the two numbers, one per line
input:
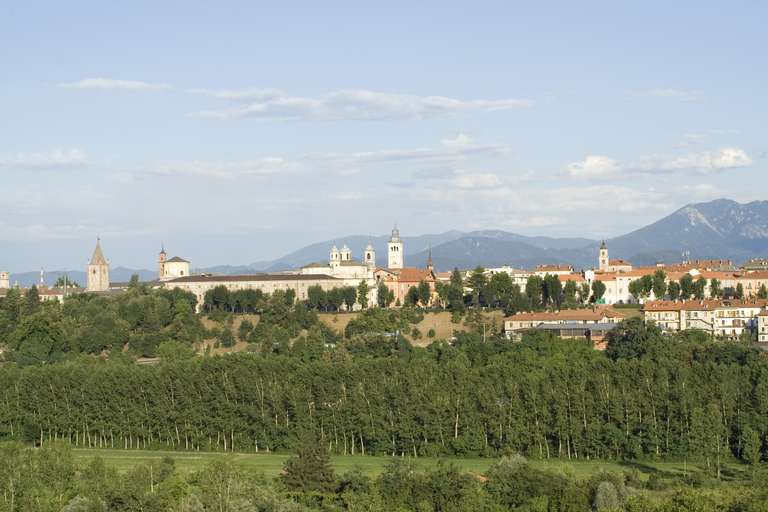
(235, 132)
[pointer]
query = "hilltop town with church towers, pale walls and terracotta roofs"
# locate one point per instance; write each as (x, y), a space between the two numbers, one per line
(711, 295)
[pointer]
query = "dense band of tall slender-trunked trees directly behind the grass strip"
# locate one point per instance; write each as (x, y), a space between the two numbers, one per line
(647, 396)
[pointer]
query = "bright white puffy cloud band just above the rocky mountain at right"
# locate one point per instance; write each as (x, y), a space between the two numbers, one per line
(595, 166)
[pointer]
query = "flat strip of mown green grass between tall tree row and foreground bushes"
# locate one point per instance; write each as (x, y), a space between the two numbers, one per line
(270, 464)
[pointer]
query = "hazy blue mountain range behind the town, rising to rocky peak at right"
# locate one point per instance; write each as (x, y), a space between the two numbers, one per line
(717, 229)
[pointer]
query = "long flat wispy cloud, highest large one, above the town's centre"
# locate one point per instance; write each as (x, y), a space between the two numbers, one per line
(346, 104)
